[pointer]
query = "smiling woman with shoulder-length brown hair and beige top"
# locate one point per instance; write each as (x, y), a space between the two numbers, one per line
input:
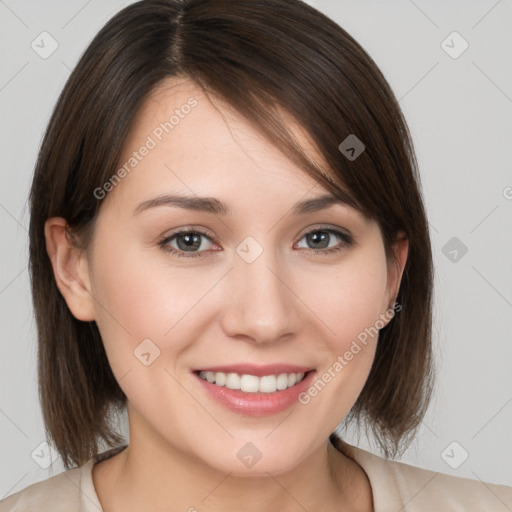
(228, 239)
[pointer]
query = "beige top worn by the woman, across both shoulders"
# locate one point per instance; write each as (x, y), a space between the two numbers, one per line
(396, 486)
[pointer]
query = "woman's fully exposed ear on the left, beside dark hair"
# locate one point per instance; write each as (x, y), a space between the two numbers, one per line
(70, 269)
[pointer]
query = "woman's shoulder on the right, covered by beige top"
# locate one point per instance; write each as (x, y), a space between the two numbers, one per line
(400, 486)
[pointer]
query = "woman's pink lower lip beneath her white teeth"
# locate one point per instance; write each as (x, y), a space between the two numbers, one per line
(257, 404)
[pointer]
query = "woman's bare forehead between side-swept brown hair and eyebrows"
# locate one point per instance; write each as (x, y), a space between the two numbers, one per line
(184, 139)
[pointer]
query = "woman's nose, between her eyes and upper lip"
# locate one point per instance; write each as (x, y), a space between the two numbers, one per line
(259, 301)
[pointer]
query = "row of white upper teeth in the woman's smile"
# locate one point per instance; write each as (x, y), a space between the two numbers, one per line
(251, 383)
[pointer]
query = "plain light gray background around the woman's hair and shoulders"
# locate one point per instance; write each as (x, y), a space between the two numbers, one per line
(460, 114)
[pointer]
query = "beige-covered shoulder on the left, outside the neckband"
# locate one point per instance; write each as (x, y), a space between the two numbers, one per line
(57, 493)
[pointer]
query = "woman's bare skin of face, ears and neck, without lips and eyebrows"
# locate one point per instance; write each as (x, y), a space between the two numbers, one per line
(290, 305)
